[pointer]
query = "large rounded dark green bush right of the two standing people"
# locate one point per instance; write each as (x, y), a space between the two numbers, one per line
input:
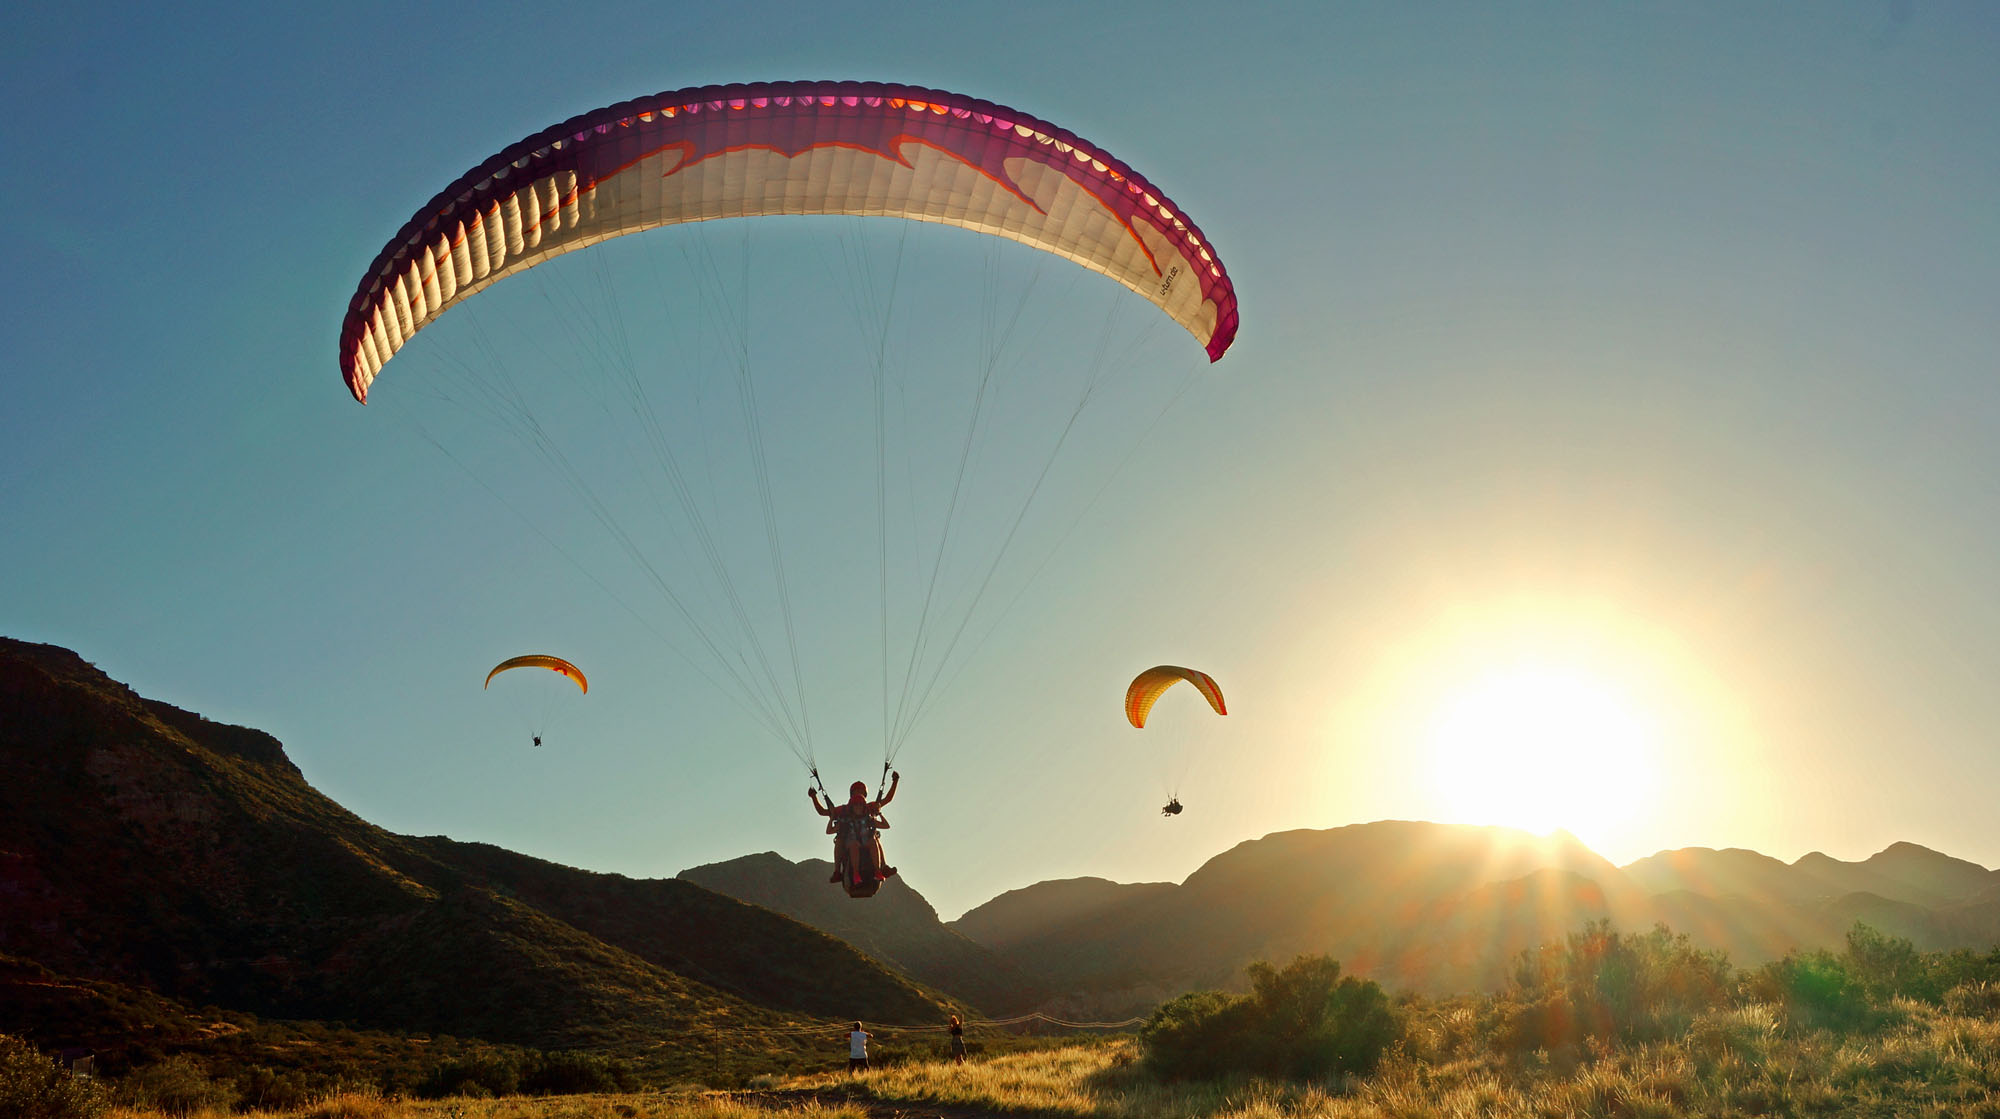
(1301, 1022)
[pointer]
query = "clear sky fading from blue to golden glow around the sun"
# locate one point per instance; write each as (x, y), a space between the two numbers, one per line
(1611, 443)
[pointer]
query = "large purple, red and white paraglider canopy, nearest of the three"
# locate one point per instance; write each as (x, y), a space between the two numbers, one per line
(745, 151)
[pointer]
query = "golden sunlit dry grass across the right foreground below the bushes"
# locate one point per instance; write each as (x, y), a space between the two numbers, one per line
(1735, 1064)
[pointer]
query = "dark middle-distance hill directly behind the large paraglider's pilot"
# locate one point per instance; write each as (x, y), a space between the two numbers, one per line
(895, 926)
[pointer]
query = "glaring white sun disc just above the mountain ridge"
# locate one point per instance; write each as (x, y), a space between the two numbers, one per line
(1543, 746)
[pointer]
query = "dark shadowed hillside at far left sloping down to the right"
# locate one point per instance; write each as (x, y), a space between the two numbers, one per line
(153, 848)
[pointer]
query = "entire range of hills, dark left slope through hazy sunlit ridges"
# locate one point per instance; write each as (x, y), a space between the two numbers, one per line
(147, 848)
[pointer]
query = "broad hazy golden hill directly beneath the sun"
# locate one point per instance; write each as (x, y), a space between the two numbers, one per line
(1413, 904)
